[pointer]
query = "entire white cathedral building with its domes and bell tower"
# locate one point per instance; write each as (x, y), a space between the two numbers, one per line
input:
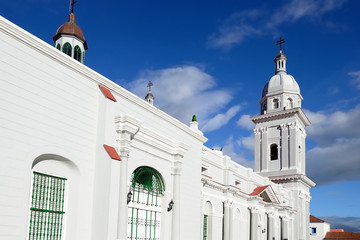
(83, 158)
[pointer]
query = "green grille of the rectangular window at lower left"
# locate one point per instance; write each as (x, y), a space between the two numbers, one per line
(47, 207)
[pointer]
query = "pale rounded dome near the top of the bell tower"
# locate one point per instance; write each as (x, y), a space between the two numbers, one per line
(281, 83)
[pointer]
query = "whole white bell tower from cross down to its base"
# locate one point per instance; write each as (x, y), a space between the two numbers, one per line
(280, 141)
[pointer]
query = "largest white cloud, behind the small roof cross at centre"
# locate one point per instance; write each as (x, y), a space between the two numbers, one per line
(183, 91)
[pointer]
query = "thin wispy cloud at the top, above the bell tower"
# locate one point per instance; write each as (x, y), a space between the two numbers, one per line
(243, 25)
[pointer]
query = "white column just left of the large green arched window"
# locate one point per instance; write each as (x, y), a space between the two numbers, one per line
(124, 150)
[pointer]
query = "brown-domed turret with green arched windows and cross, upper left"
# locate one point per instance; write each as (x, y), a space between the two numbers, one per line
(70, 39)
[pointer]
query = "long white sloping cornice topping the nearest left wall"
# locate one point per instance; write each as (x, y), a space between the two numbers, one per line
(44, 48)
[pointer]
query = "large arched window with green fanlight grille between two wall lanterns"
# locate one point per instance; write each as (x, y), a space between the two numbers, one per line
(145, 199)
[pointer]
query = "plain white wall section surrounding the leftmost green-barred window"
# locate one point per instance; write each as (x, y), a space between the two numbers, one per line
(46, 108)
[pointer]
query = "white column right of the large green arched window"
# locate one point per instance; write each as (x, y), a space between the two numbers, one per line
(176, 174)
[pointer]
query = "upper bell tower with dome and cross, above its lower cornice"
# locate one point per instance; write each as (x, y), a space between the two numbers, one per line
(280, 128)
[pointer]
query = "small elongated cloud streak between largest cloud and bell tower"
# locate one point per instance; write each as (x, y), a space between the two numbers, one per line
(220, 119)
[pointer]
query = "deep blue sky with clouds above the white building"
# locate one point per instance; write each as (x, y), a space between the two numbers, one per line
(213, 58)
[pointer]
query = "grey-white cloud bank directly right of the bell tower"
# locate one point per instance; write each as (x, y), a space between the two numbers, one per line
(336, 158)
